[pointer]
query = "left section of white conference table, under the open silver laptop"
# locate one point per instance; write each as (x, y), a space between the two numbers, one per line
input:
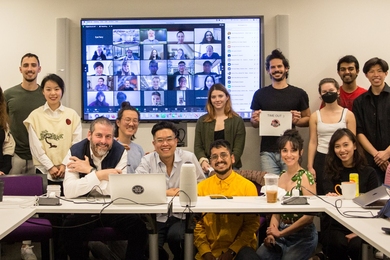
(82, 206)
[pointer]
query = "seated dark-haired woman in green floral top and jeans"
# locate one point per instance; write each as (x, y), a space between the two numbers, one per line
(291, 236)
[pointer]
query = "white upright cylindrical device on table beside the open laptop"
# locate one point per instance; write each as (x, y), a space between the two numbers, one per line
(188, 185)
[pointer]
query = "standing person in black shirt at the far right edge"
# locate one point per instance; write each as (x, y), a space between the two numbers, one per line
(372, 112)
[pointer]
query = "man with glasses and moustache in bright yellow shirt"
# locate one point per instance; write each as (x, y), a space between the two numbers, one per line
(225, 236)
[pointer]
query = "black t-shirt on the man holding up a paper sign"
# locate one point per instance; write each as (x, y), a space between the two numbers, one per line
(271, 99)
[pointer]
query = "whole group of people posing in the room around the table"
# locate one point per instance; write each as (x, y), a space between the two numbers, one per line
(44, 136)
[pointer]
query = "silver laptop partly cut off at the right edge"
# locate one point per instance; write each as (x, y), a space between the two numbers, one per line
(373, 199)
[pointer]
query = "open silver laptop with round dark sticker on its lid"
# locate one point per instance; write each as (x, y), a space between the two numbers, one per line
(138, 188)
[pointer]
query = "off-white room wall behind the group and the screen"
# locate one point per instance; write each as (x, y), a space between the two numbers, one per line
(320, 32)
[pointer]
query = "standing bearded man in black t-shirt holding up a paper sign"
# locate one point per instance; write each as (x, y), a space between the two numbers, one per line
(279, 96)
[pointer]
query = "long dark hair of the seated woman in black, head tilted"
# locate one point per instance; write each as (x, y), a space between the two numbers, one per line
(333, 164)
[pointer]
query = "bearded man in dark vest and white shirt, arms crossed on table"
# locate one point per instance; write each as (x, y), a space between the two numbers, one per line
(88, 166)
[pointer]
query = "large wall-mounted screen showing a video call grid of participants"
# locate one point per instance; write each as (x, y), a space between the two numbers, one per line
(165, 66)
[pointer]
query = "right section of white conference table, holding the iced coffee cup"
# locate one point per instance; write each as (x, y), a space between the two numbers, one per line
(367, 229)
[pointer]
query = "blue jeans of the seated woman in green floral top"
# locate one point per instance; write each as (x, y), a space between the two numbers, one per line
(297, 246)
